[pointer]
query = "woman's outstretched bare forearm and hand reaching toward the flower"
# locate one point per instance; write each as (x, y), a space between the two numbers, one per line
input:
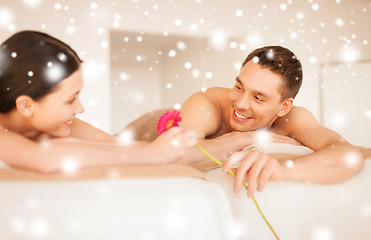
(55, 155)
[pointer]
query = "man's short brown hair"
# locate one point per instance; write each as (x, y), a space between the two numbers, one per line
(283, 62)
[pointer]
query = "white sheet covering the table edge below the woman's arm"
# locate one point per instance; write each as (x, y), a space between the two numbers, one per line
(161, 208)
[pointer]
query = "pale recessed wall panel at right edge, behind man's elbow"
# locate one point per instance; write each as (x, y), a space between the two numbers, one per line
(346, 101)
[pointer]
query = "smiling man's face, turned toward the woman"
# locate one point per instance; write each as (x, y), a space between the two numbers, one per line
(255, 98)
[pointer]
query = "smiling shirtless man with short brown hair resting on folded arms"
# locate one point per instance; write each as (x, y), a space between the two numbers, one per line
(262, 99)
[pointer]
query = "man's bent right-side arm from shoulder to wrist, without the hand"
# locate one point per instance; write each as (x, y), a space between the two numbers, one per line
(334, 160)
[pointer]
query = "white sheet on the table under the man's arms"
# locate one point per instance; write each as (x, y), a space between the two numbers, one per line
(303, 210)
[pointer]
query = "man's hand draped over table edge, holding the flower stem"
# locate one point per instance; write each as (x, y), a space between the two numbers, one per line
(256, 168)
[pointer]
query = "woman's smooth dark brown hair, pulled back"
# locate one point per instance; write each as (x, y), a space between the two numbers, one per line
(33, 63)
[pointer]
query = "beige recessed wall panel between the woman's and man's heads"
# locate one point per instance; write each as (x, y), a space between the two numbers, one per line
(152, 71)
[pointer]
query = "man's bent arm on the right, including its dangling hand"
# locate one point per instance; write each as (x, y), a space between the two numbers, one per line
(333, 161)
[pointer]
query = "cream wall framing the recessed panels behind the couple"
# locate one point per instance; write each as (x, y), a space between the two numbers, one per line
(317, 31)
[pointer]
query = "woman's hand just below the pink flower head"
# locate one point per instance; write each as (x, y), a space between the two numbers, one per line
(171, 145)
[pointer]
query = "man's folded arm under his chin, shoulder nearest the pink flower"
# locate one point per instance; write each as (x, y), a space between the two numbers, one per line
(201, 113)
